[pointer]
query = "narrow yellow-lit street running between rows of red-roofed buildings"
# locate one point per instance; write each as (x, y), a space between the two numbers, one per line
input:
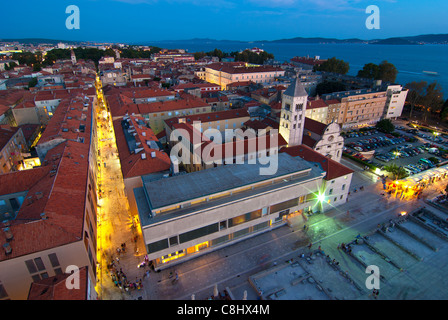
(115, 225)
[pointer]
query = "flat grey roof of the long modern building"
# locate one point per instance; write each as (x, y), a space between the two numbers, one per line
(178, 189)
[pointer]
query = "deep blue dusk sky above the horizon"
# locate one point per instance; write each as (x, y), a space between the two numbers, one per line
(146, 20)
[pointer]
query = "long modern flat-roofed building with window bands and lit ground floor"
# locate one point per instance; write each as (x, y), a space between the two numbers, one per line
(188, 215)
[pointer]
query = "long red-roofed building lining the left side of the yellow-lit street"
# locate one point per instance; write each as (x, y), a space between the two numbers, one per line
(49, 212)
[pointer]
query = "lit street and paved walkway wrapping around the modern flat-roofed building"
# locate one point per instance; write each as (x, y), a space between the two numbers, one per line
(230, 267)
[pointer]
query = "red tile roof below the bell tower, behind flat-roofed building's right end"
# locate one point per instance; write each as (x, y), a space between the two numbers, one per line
(332, 168)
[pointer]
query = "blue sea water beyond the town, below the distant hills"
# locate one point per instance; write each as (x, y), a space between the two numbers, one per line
(411, 60)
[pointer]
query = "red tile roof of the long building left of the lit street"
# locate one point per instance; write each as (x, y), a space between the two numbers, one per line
(61, 180)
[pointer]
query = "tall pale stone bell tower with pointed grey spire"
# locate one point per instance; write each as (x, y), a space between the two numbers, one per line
(292, 116)
